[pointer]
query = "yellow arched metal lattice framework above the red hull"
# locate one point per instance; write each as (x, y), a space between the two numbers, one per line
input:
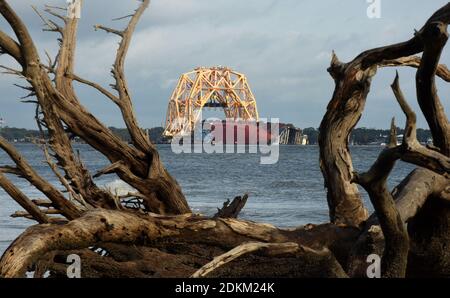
(215, 87)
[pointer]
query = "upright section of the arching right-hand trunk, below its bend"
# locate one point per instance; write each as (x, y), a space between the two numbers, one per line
(343, 112)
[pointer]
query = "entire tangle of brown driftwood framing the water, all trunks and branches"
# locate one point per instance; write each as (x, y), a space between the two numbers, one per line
(158, 236)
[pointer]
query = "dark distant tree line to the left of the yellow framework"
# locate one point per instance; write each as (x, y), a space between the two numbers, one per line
(27, 135)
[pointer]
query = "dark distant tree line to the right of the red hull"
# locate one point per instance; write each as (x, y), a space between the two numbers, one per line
(365, 136)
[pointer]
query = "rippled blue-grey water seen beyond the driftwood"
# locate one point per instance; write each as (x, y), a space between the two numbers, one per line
(288, 193)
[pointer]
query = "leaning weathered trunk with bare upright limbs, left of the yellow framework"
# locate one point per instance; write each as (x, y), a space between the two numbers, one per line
(138, 166)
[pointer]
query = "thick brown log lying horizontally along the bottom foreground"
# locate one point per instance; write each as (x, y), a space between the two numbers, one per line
(173, 238)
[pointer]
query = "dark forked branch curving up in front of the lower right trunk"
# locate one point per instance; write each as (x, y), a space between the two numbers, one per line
(375, 183)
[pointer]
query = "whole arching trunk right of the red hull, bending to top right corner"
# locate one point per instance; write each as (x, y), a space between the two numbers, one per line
(353, 81)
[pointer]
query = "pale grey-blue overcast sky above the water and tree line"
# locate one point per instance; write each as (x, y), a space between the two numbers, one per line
(283, 46)
